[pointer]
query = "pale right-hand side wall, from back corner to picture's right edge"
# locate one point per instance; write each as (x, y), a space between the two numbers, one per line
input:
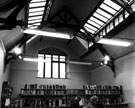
(125, 76)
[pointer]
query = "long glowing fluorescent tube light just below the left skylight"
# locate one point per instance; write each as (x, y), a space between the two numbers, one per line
(47, 33)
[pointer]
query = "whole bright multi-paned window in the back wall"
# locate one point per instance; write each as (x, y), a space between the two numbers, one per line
(51, 66)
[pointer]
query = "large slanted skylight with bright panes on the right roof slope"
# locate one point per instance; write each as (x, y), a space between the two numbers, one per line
(106, 11)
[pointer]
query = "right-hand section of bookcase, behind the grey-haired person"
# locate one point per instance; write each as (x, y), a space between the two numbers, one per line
(109, 96)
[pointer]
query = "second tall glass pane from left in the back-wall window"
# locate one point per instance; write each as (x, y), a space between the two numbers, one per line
(48, 66)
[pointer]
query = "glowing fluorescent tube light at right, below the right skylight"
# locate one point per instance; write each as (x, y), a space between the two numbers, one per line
(116, 42)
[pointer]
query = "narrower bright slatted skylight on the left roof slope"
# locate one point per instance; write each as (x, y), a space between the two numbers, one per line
(36, 12)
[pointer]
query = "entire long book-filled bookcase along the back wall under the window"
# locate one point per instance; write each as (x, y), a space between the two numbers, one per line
(33, 95)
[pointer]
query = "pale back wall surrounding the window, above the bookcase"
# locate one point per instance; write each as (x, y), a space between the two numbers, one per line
(23, 72)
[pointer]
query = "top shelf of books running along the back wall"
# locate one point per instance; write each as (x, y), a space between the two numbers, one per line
(61, 89)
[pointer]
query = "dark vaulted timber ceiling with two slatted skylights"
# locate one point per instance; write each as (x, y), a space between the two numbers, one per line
(86, 20)
